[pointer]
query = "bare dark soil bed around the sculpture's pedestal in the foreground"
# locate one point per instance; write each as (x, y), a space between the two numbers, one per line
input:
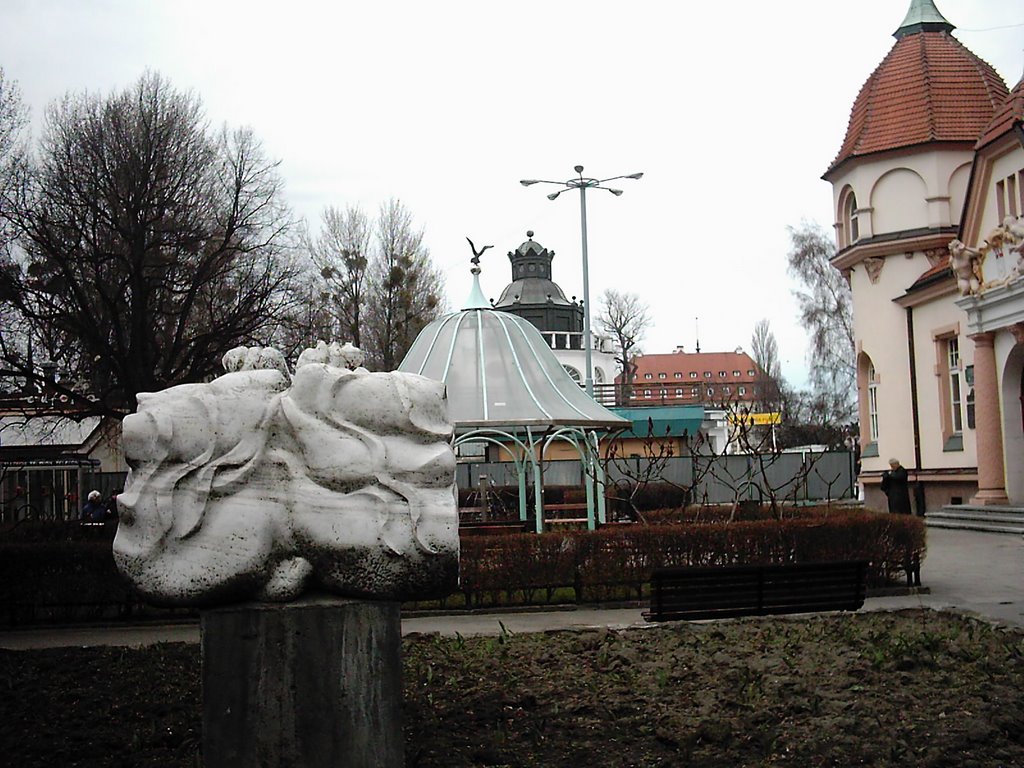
(912, 689)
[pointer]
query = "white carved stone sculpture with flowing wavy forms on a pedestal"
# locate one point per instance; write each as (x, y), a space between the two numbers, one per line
(261, 487)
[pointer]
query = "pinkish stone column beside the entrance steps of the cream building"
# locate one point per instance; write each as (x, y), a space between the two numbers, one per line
(989, 423)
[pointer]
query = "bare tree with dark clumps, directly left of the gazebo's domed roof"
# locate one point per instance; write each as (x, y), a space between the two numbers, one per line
(405, 290)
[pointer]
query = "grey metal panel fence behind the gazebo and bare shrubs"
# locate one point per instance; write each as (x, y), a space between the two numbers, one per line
(797, 477)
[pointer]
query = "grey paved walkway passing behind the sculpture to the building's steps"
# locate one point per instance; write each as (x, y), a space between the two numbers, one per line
(967, 571)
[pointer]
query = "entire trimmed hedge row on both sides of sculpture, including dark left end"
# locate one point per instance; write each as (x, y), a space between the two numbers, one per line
(52, 579)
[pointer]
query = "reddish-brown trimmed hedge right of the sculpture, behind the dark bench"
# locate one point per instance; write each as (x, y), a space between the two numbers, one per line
(618, 561)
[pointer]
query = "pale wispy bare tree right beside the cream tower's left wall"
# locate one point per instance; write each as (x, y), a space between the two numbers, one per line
(827, 313)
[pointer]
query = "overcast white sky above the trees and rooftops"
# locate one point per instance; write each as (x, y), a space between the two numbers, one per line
(733, 111)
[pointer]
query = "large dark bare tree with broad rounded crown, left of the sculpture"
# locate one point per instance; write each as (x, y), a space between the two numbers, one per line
(152, 245)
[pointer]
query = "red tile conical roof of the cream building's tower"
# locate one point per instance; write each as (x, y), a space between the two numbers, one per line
(928, 89)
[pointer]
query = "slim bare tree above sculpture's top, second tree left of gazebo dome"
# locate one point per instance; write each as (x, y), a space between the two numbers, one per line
(342, 254)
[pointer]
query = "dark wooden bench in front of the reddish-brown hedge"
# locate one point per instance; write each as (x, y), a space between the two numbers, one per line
(726, 591)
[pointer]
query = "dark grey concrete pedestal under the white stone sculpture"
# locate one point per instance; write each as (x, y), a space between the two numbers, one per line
(314, 684)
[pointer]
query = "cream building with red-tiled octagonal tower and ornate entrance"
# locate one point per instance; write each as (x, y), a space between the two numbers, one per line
(928, 191)
